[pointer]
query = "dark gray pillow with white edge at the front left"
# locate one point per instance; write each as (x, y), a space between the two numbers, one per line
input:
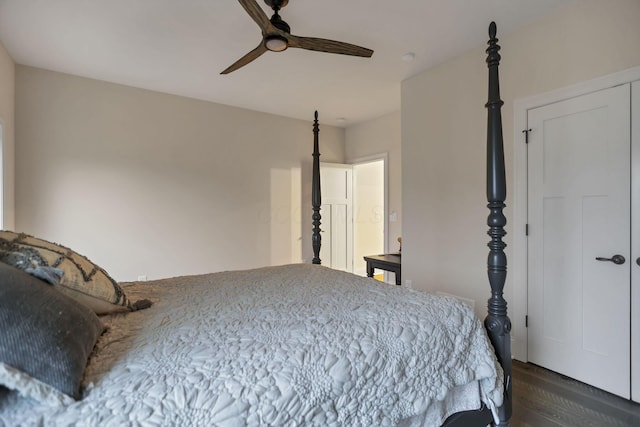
(46, 338)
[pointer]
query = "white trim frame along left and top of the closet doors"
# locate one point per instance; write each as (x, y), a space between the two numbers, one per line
(517, 276)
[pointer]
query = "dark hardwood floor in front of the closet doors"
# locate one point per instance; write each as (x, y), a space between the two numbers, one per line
(542, 398)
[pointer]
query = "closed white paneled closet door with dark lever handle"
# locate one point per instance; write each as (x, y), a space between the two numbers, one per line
(579, 210)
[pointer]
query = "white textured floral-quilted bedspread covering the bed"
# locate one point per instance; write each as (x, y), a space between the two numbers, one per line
(291, 345)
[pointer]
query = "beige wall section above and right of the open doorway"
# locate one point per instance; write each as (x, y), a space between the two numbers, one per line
(380, 136)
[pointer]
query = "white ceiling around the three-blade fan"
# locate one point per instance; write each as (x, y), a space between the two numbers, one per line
(181, 46)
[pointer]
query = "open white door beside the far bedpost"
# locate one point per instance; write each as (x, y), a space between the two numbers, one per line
(337, 216)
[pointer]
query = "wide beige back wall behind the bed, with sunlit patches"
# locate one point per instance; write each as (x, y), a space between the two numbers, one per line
(145, 183)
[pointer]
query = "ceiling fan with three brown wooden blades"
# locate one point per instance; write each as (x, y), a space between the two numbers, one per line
(276, 36)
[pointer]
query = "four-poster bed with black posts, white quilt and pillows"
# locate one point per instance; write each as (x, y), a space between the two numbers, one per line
(284, 345)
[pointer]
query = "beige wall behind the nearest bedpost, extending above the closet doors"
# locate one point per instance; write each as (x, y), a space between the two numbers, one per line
(444, 133)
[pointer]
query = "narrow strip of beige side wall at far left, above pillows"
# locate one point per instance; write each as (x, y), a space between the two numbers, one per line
(7, 96)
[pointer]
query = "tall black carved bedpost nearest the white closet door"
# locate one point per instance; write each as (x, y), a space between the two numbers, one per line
(497, 323)
